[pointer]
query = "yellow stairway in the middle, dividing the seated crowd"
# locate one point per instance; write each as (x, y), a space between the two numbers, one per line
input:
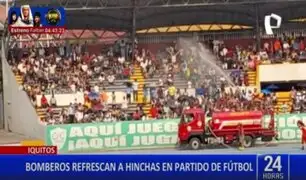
(138, 75)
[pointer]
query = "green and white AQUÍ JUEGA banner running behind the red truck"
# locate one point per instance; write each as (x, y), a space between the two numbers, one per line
(141, 134)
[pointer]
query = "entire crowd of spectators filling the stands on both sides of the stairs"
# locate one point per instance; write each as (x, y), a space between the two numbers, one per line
(71, 69)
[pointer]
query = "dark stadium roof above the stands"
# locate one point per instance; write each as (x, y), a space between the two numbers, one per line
(118, 14)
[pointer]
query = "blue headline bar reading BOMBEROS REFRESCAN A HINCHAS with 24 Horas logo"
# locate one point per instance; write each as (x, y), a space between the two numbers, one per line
(139, 167)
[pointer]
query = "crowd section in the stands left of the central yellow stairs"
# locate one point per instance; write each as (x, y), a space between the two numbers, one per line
(69, 69)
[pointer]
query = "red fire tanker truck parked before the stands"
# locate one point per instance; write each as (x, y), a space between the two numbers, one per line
(224, 128)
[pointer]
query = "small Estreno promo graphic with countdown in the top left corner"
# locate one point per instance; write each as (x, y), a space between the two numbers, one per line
(36, 20)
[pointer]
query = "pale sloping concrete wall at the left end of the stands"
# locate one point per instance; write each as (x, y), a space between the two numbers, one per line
(19, 114)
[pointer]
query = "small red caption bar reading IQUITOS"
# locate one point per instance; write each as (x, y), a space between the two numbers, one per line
(38, 150)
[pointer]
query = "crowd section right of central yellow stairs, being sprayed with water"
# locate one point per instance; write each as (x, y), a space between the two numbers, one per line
(210, 85)
